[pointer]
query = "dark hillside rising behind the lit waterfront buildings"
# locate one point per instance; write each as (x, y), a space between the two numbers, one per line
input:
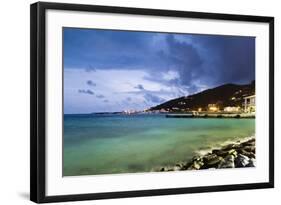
(223, 96)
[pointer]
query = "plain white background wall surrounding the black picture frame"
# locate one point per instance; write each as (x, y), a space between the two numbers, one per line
(14, 103)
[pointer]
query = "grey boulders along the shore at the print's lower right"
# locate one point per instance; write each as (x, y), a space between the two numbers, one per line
(234, 155)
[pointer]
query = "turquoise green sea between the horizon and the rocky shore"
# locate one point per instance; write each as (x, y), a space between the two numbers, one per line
(109, 144)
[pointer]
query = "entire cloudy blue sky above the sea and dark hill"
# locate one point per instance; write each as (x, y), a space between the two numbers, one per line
(106, 71)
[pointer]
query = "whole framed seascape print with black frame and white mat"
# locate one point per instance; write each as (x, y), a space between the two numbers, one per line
(129, 102)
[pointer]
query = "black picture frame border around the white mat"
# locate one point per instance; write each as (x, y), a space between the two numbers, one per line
(38, 97)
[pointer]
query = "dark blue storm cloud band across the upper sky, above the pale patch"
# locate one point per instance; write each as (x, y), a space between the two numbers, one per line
(200, 60)
